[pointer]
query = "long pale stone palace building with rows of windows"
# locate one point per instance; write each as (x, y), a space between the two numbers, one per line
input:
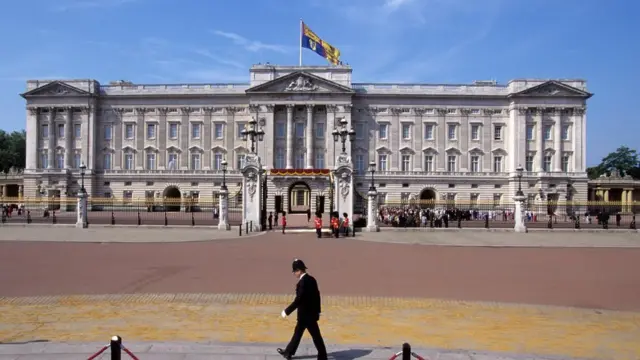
(459, 142)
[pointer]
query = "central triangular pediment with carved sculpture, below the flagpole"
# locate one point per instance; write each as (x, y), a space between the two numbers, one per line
(300, 82)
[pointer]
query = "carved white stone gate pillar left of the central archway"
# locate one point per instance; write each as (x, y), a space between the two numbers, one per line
(252, 191)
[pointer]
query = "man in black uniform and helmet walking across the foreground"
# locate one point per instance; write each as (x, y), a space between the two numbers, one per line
(308, 304)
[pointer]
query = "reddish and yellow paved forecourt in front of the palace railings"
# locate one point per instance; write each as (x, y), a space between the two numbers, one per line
(583, 302)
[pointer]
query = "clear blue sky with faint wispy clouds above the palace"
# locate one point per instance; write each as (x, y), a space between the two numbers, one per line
(435, 41)
